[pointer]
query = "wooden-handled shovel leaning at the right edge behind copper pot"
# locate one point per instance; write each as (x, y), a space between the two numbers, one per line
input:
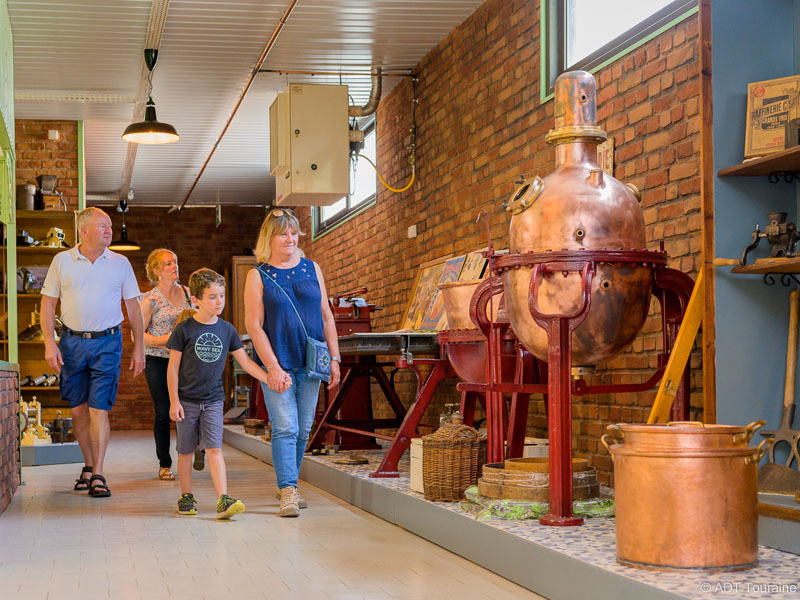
(774, 478)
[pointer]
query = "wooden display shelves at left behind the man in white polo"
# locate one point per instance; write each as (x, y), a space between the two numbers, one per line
(31, 353)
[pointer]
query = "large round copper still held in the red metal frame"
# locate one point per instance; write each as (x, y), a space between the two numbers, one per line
(578, 207)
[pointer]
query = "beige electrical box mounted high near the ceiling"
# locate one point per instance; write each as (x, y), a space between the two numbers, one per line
(310, 145)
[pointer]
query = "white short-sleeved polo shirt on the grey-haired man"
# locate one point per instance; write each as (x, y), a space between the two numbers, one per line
(91, 293)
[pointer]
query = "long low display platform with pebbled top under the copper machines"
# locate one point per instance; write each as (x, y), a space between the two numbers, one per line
(556, 562)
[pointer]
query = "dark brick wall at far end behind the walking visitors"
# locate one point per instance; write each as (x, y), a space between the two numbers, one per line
(193, 236)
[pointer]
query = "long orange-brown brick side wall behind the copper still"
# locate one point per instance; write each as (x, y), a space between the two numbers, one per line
(480, 124)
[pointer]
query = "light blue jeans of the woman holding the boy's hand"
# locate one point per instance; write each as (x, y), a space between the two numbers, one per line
(291, 414)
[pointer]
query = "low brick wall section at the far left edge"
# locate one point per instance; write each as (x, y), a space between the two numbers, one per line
(9, 437)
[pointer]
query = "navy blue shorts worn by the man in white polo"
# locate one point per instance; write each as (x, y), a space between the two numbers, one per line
(91, 369)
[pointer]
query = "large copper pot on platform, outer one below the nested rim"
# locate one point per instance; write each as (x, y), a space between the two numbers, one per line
(692, 509)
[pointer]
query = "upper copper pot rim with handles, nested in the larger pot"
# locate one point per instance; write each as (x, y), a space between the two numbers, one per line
(683, 435)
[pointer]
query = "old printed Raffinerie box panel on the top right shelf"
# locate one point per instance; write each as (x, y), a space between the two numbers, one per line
(770, 105)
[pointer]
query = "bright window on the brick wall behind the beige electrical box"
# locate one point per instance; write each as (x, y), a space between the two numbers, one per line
(362, 187)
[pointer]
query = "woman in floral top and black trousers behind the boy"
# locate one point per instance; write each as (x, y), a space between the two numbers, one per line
(161, 307)
